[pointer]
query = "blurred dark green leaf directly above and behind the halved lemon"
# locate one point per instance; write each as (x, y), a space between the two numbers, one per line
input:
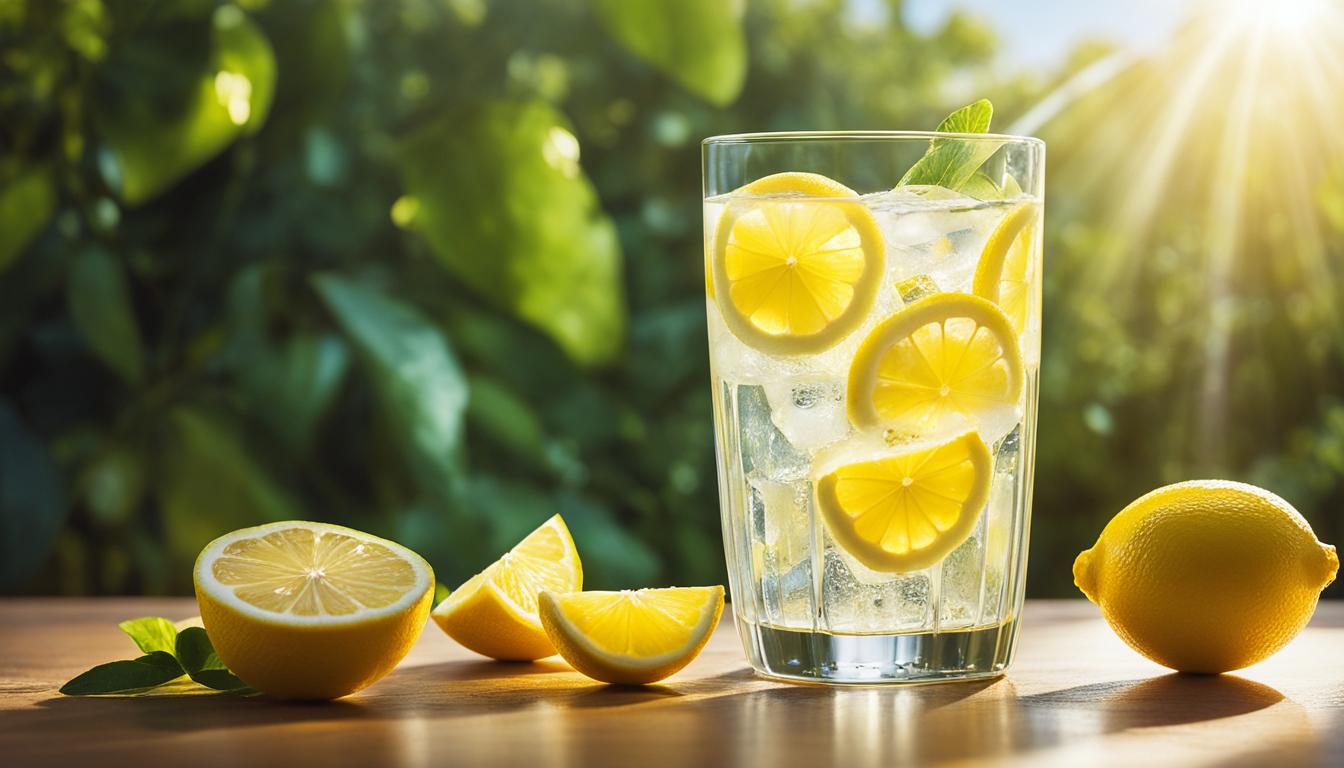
(212, 482)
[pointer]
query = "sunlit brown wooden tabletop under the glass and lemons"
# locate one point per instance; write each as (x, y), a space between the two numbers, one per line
(1075, 697)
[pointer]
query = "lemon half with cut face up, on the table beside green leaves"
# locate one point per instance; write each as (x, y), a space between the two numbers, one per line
(311, 611)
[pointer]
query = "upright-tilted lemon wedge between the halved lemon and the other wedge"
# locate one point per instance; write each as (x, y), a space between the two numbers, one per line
(495, 611)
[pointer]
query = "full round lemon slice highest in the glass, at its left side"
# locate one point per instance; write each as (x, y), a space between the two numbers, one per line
(794, 275)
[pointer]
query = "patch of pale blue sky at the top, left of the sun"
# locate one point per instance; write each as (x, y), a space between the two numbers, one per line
(1042, 33)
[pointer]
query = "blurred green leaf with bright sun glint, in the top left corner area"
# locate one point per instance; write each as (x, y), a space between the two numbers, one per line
(185, 87)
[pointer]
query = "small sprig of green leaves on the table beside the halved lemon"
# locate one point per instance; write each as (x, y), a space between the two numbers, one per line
(169, 656)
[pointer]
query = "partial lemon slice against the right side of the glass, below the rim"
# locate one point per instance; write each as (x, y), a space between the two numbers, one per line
(1006, 272)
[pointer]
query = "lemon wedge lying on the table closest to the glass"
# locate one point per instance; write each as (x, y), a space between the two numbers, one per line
(632, 638)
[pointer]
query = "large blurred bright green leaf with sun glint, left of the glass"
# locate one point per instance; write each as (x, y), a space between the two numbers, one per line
(505, 205)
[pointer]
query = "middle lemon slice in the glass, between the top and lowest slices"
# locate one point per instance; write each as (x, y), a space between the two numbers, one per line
(946, 361)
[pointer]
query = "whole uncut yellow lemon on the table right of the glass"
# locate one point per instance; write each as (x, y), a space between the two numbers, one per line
(1208, 576)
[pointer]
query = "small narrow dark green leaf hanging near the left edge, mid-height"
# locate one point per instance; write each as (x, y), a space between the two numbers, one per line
(101, 309)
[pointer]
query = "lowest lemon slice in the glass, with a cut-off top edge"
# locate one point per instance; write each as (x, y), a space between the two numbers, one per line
(908, 512)
